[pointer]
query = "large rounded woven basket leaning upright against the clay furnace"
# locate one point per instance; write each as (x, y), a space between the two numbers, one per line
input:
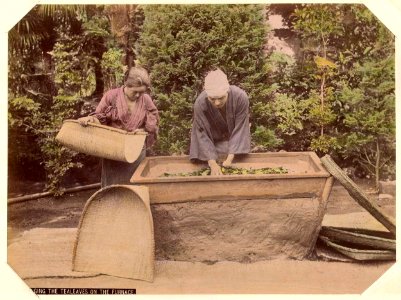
(115, 234)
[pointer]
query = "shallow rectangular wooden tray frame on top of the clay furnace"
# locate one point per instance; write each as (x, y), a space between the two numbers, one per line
(306, 178)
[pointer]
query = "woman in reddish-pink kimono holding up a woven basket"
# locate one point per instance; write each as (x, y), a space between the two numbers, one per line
(129, 108)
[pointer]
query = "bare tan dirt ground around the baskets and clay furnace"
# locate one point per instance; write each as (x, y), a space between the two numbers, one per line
(59, 217)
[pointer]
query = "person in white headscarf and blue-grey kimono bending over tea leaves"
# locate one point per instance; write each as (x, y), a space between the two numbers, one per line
(220, 122)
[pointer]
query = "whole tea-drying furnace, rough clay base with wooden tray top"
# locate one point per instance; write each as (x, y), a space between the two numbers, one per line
(236, 217)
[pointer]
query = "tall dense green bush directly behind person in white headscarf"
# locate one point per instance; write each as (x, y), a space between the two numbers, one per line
(192, 40)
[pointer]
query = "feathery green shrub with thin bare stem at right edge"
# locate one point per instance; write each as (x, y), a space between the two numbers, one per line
(370, 116)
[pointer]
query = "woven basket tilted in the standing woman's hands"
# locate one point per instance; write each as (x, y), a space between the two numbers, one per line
(102, 141)
